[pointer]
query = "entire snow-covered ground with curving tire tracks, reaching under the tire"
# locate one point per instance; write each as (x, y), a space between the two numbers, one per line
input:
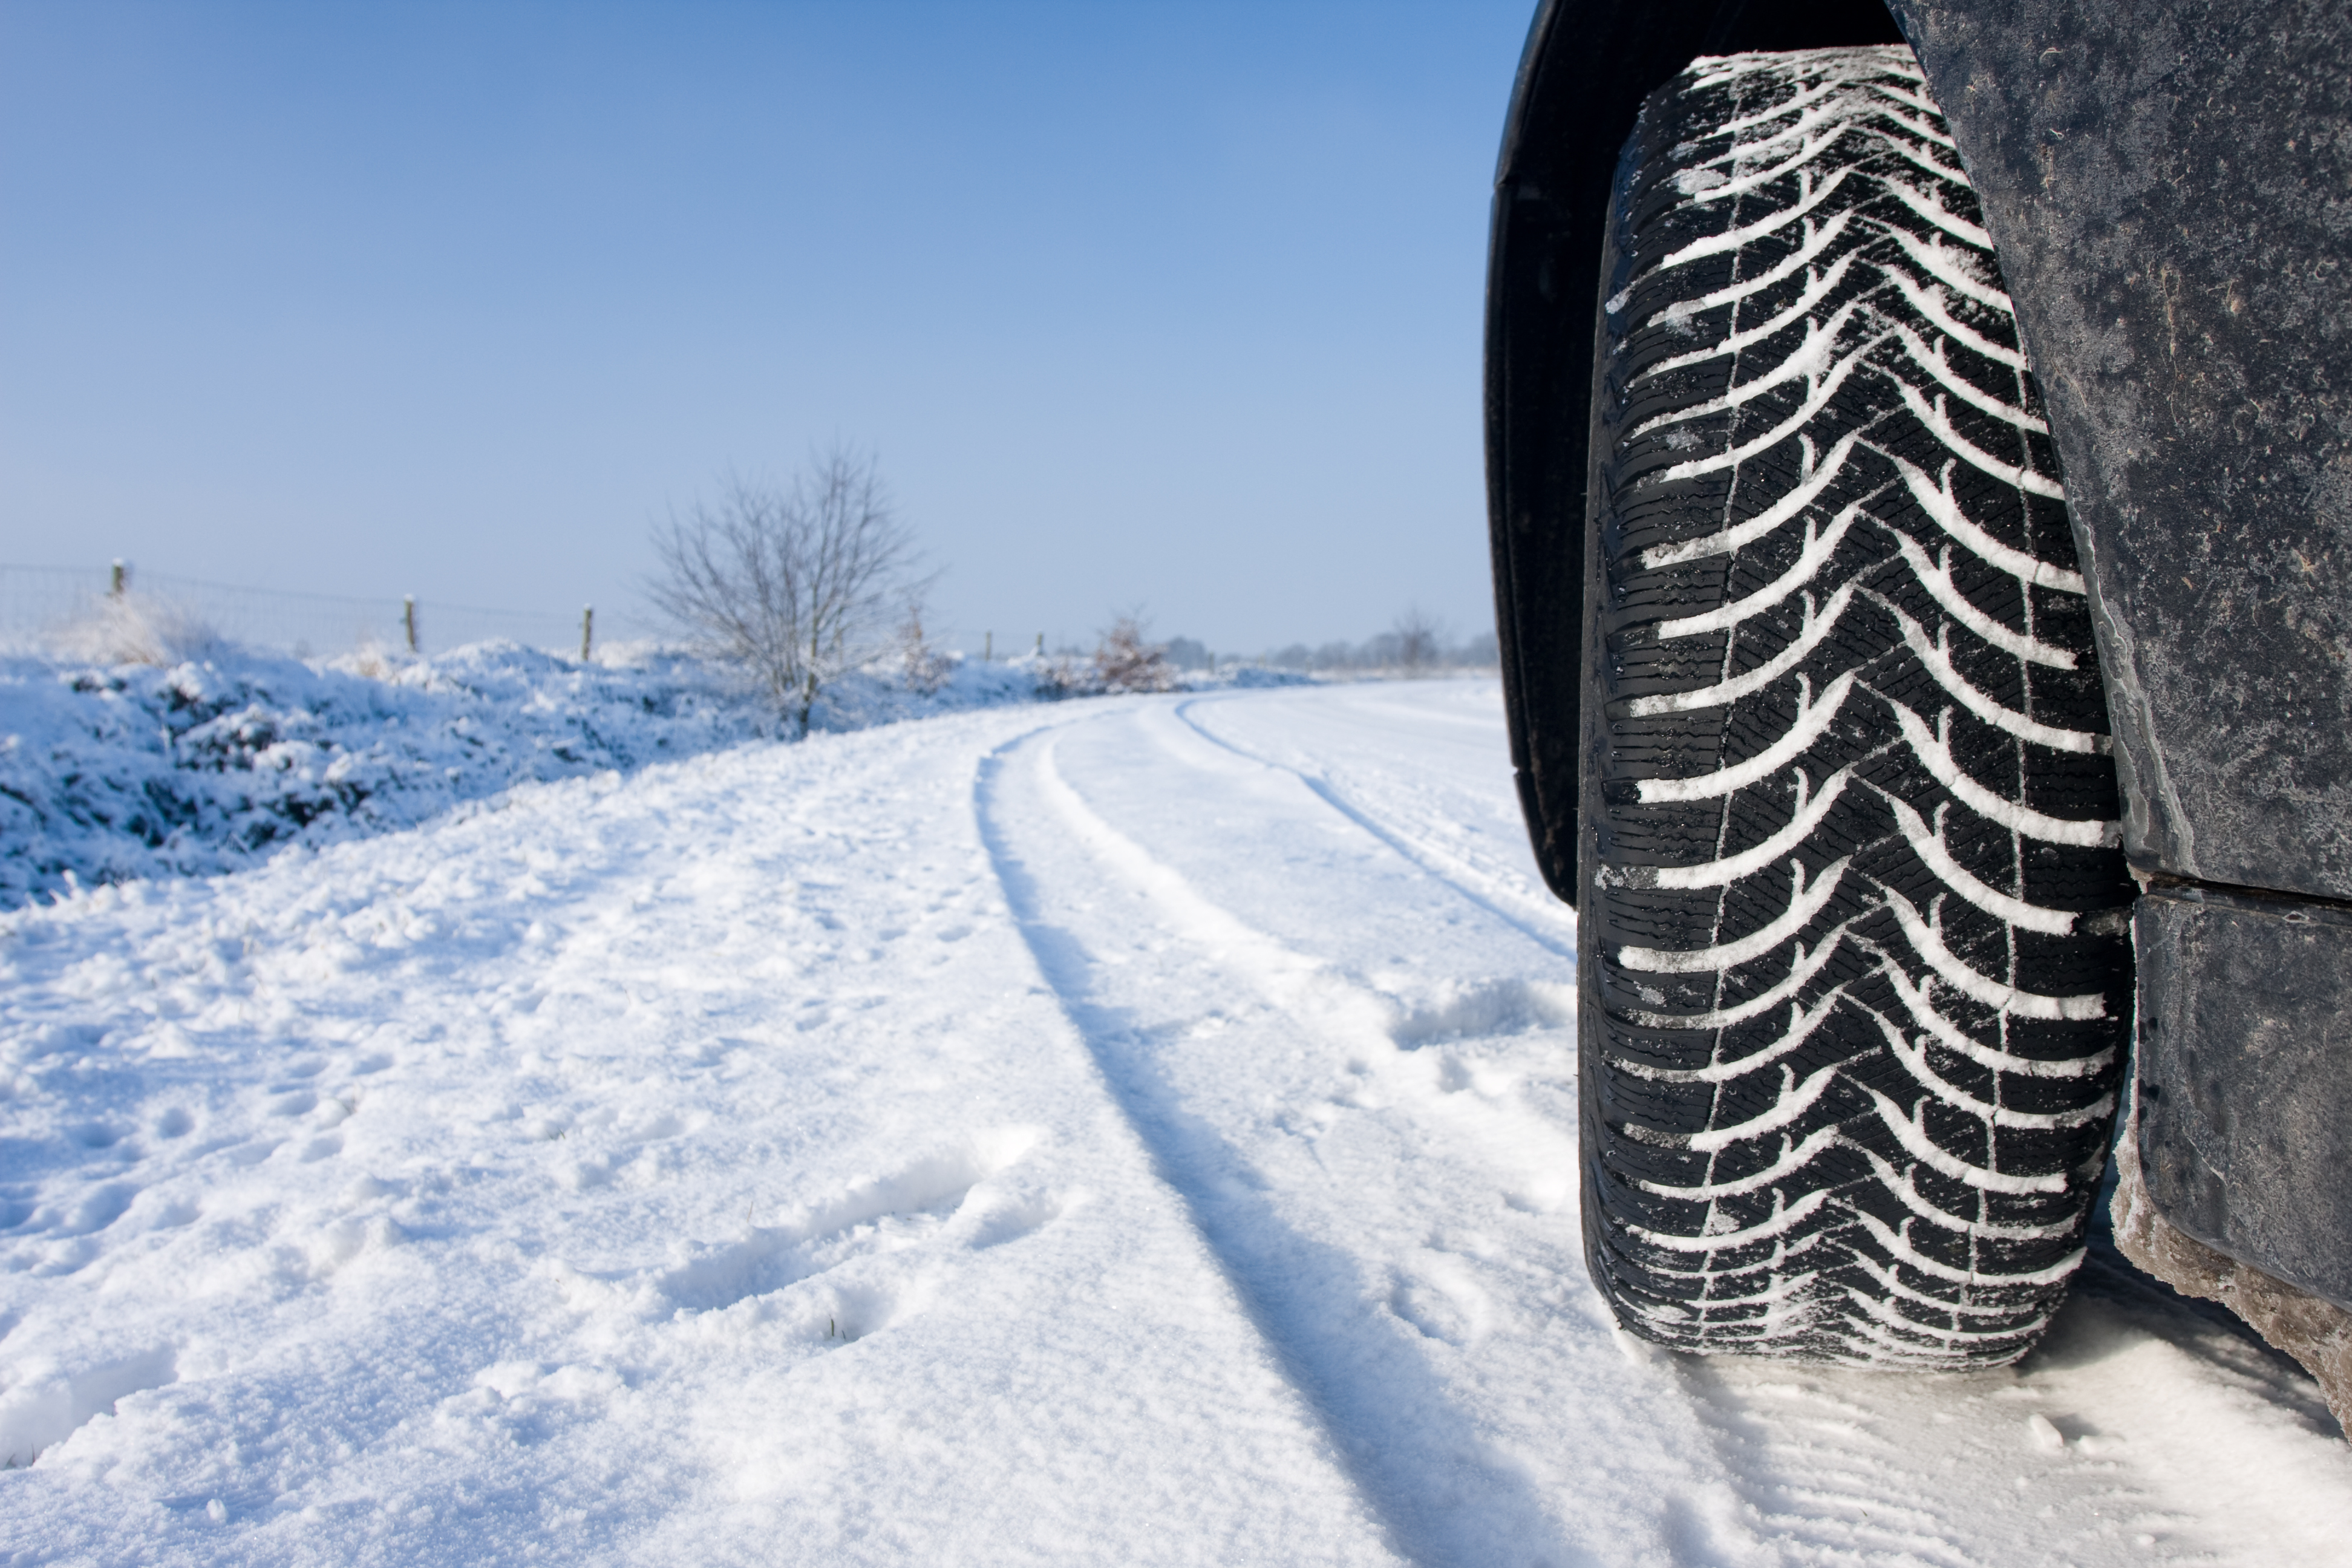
(1121, 1132)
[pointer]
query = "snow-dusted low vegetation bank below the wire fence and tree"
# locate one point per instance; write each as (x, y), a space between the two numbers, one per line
(215, 760)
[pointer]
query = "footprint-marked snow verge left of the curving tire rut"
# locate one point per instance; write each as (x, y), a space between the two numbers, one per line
(514, 1191)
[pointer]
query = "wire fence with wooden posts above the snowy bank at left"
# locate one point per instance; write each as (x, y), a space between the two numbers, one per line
(41, 608)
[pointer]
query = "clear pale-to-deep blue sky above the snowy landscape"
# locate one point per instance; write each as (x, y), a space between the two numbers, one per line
(1137, 304)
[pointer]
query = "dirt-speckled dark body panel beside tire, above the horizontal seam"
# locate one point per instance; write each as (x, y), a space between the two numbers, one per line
(2170, 189)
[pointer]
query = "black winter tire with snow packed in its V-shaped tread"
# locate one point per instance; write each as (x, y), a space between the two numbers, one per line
(1857, 981)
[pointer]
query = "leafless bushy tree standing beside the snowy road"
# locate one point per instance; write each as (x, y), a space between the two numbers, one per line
(791, 584)
